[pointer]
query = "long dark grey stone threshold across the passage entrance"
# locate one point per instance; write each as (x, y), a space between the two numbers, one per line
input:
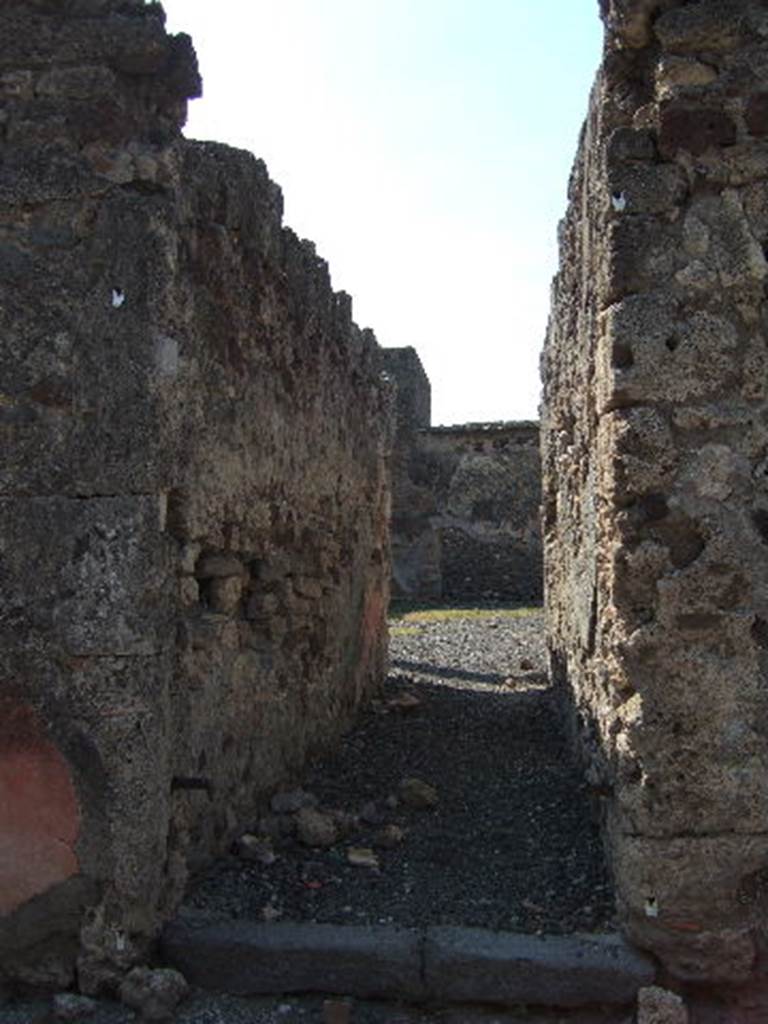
(437, 964)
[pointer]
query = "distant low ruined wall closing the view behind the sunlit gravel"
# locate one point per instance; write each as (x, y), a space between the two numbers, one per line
(465, 501)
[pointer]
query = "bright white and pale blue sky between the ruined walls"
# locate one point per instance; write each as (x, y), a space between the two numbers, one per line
(424, 146)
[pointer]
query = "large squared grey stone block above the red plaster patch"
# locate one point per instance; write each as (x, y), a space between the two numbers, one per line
(102, 571)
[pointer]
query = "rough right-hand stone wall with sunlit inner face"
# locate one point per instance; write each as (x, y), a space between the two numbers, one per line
(656, 500)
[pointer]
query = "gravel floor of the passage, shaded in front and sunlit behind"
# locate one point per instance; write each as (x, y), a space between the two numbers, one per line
(510, 844)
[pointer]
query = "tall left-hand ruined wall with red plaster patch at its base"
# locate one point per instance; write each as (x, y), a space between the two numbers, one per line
(194, 491)
